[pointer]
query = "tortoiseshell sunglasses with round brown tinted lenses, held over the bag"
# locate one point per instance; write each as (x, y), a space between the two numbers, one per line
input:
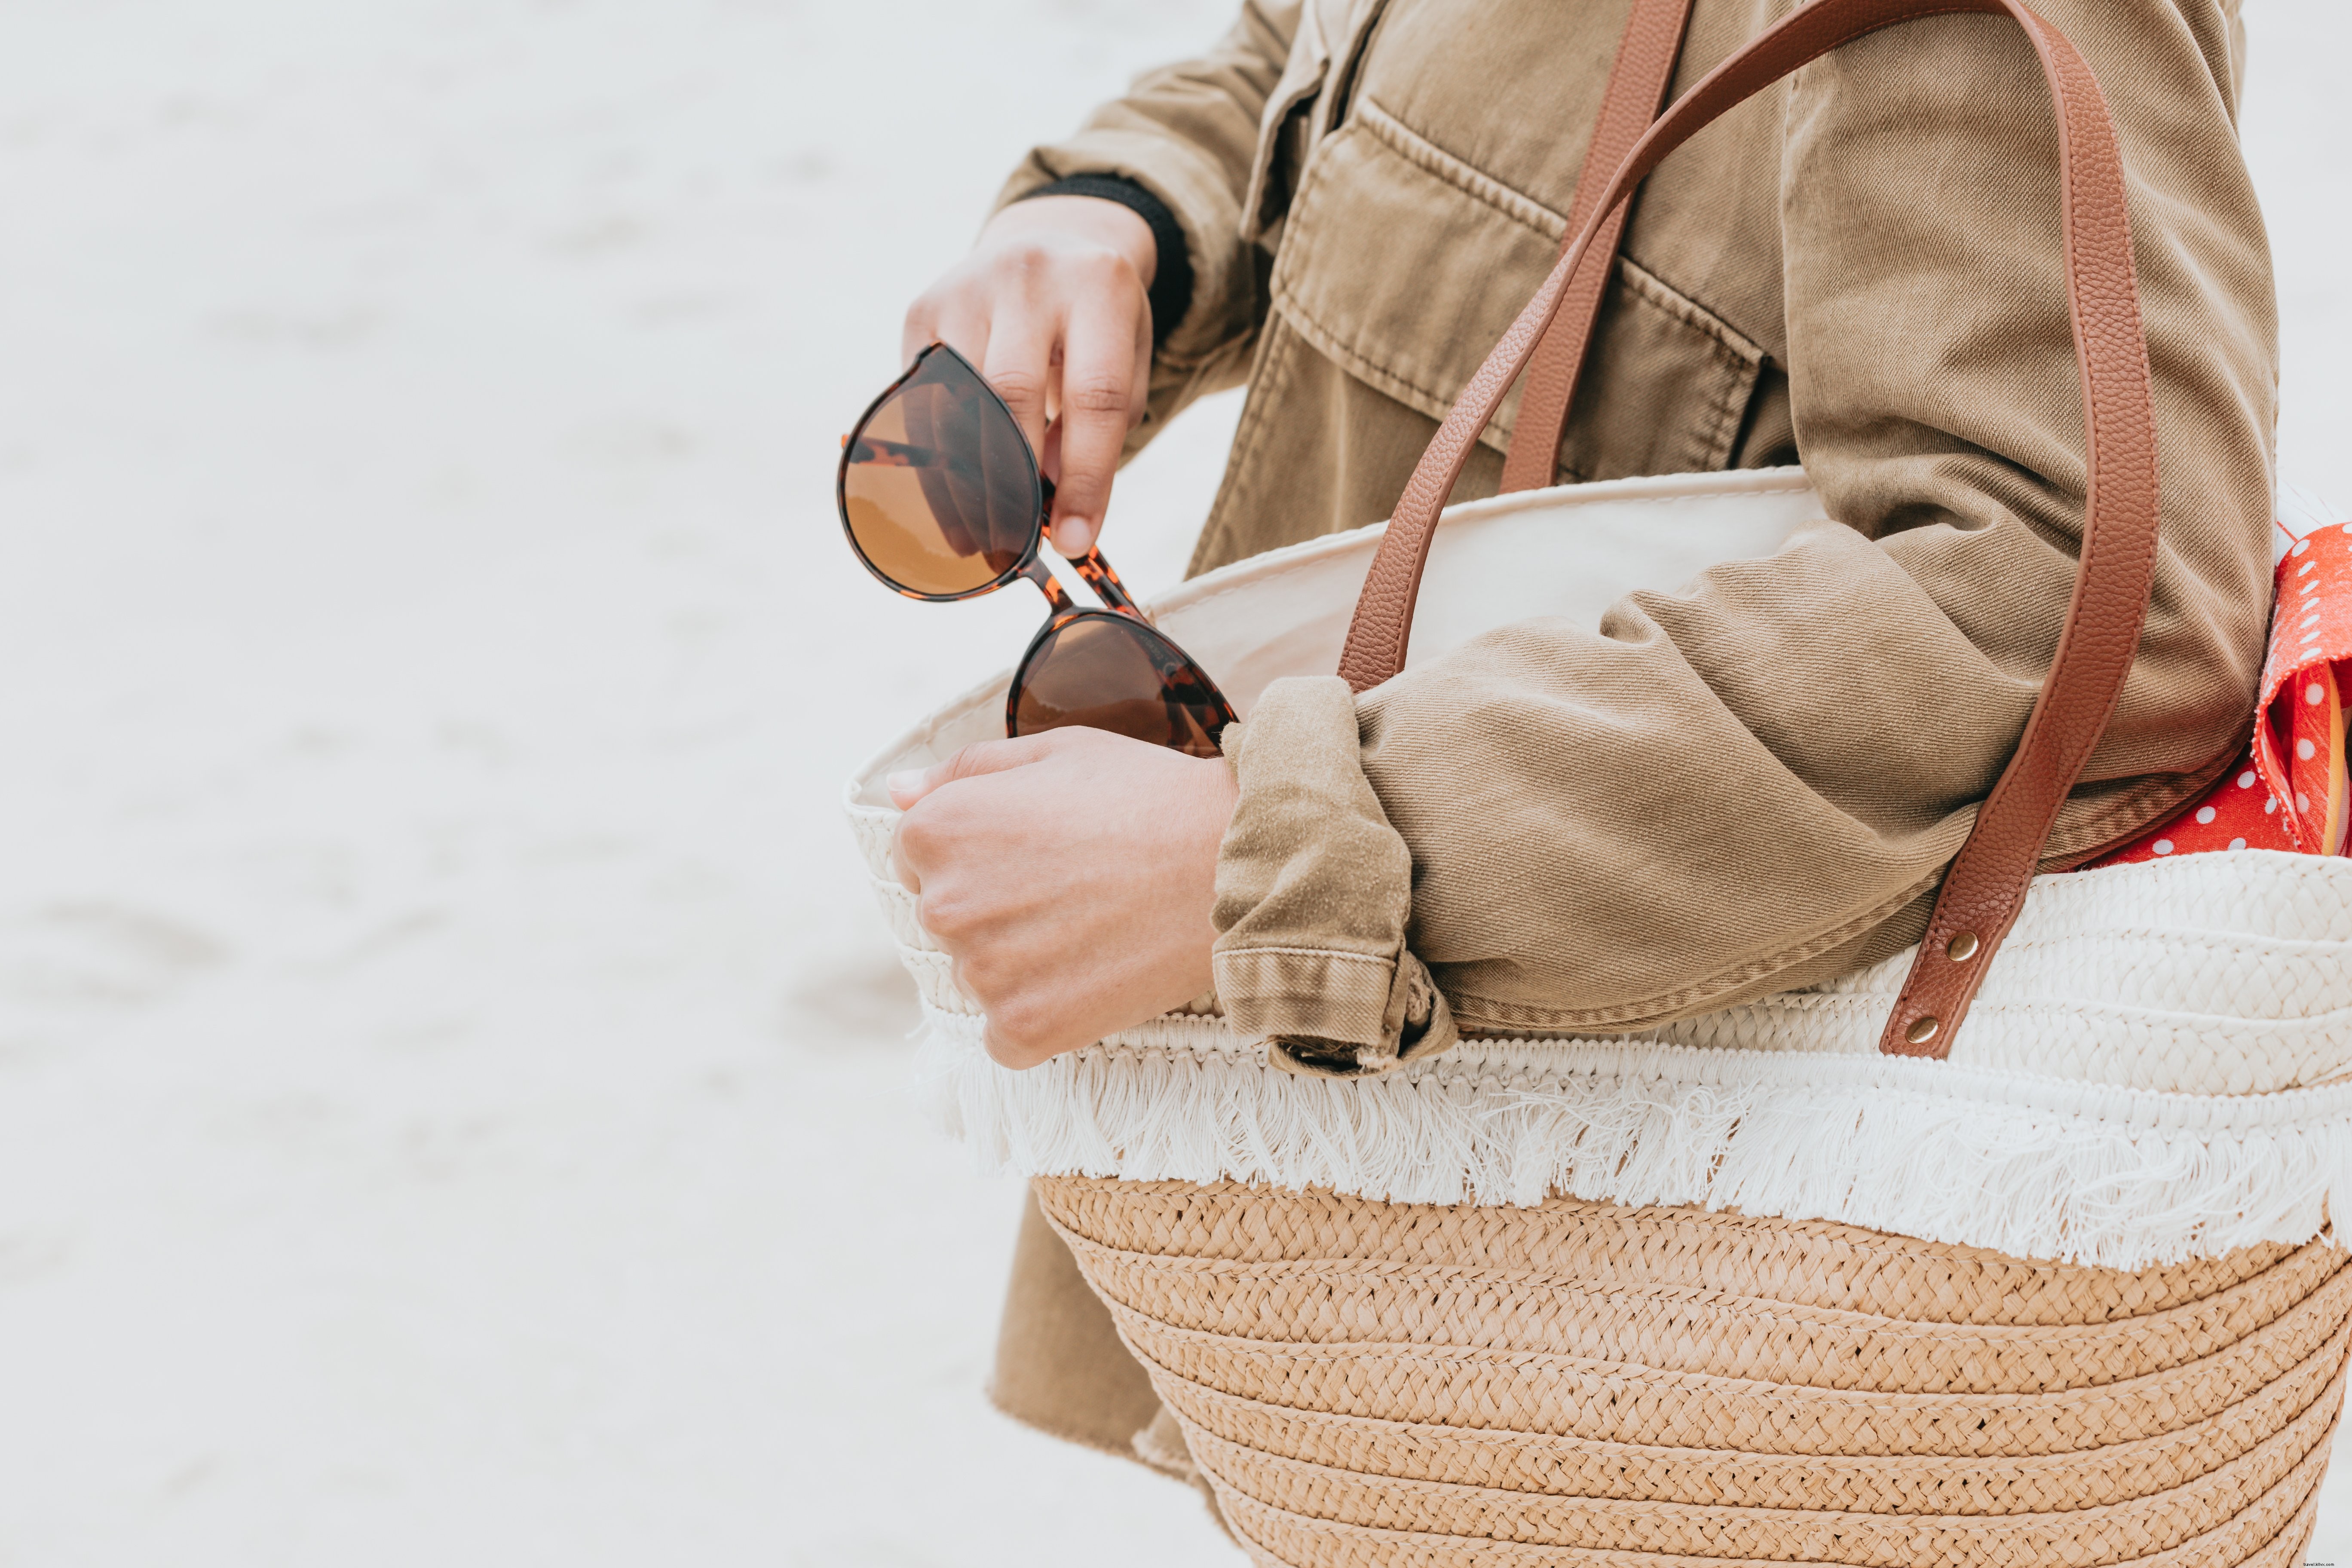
(942, 500)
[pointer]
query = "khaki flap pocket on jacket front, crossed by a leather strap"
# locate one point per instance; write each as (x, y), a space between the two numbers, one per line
(1405, 267)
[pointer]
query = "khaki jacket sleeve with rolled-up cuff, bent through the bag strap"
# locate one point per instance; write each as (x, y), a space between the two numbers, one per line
(1753, 784)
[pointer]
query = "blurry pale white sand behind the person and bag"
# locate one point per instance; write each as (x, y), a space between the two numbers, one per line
(453, 1087)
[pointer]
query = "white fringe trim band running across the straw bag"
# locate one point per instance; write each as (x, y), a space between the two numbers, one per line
(2010, 1162)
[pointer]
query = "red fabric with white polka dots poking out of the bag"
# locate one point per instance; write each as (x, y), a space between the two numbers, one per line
(2290, 786)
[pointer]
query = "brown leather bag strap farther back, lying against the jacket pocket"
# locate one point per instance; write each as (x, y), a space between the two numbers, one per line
(1638, 81)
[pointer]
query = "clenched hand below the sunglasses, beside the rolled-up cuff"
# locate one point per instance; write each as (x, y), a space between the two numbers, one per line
(1071, 878)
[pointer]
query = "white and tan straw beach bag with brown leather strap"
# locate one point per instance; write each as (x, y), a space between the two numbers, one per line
(2012, 1249)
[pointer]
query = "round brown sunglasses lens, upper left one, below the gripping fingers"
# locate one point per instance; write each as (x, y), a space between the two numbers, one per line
(940, 490)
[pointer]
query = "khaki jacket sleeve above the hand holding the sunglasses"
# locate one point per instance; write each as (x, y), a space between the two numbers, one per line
(1189, 135)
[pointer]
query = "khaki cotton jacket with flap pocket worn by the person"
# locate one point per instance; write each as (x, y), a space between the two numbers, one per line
(1756, 784)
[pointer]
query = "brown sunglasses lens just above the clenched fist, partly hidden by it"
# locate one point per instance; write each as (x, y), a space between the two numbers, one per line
(1116, 674)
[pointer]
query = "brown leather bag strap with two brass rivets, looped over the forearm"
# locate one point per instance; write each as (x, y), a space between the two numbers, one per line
(1984, 887)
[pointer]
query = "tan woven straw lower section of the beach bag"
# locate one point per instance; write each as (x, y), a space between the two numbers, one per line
(1417, 1386)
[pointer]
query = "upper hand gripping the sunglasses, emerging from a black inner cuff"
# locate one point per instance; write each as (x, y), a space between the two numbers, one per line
(1055, 307)
